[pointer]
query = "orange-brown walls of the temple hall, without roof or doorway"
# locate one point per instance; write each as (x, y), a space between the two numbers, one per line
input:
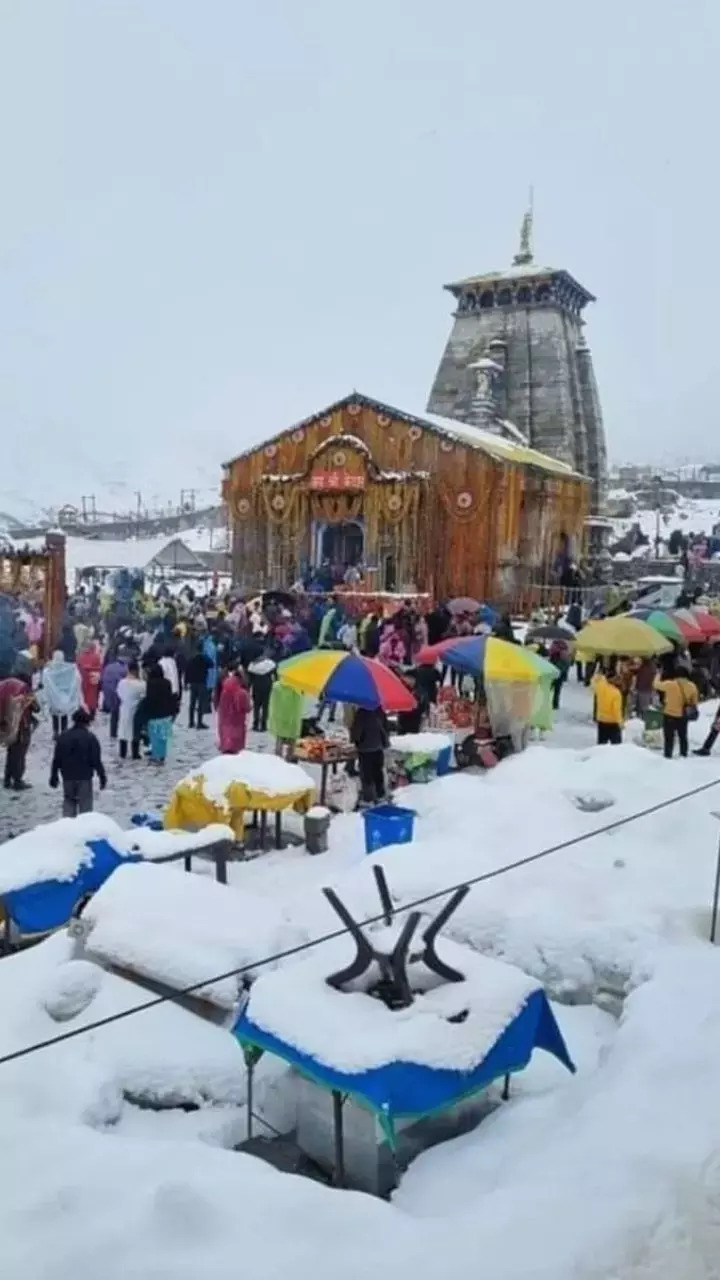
(457, 532)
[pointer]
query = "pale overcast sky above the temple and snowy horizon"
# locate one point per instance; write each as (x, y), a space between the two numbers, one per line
(218, 216)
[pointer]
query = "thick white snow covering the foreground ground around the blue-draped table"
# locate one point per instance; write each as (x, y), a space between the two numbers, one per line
(613, 1173)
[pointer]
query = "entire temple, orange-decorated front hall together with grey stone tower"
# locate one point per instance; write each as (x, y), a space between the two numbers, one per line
(485, 495)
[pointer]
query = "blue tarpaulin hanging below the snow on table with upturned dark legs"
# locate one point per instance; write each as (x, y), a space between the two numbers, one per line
(412, 1090)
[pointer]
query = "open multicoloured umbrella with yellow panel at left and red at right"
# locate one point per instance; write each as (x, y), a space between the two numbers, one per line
(347, 678)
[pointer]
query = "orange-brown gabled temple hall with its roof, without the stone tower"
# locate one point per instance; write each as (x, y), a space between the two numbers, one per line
(420, 505)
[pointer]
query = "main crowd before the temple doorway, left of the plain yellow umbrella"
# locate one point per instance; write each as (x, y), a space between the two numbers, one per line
(216, 653)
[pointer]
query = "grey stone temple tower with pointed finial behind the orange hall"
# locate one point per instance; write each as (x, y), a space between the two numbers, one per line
(517, 363)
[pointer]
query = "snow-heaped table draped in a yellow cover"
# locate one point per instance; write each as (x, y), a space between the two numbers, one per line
(229, 788)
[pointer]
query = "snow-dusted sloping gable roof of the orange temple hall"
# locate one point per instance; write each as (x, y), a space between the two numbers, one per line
(476, 437)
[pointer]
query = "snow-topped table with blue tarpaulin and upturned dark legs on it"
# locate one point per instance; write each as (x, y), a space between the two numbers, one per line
(402, 1064)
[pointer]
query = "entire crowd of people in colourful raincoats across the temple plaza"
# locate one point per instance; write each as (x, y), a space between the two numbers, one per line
(224, 653)
